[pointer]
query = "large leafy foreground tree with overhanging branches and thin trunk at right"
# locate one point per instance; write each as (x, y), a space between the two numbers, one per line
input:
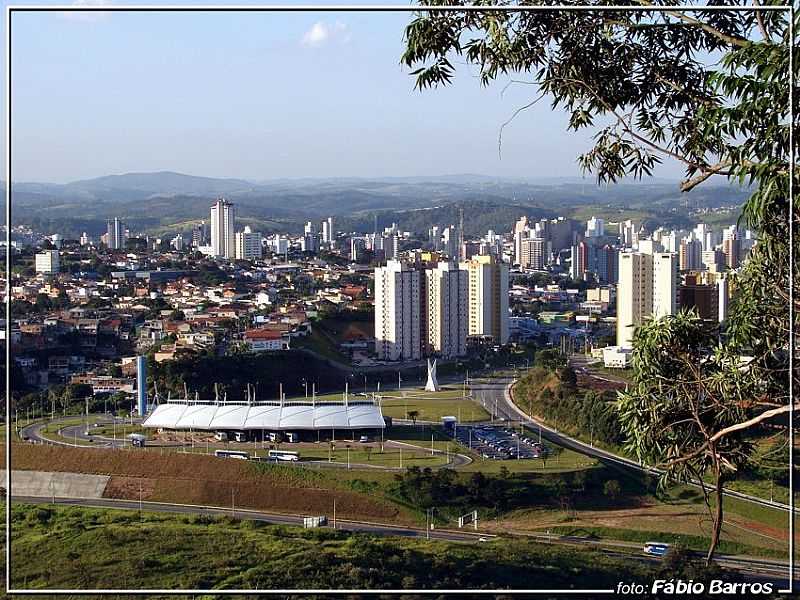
(708, 89)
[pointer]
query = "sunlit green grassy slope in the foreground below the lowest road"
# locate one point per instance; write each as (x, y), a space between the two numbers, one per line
(70, 547)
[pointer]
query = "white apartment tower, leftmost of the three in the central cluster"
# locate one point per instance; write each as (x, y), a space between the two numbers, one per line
(398, 316)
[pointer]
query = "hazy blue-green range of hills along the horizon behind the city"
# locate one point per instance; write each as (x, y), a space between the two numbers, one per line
(166, 201)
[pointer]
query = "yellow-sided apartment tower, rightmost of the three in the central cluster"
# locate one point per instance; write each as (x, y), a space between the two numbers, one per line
(488, 297)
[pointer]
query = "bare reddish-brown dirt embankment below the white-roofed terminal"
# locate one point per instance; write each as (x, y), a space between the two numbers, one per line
(206, 480)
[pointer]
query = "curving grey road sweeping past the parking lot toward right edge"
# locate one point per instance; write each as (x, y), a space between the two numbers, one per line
(496, 397)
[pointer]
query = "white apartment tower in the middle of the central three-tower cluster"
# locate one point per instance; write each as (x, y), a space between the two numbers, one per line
(447, 288)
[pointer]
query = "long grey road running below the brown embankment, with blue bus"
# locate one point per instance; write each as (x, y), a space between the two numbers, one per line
(755, 568)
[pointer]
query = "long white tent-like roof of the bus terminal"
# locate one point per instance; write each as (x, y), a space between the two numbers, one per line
(273, 416)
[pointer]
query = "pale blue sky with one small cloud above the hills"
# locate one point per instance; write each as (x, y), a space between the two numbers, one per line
(260, 96)
